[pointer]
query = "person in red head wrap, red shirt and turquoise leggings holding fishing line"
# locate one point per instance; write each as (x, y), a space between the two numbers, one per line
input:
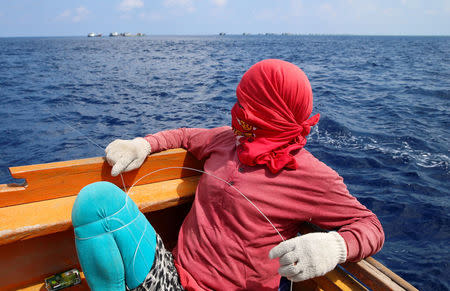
(225, 243)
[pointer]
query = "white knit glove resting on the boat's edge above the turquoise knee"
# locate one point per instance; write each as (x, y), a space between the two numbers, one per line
(127, 155)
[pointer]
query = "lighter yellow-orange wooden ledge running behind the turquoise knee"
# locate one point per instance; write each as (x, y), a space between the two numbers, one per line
(20, 222)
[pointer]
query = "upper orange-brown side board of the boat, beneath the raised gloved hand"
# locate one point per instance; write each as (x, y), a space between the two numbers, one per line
(62, 179)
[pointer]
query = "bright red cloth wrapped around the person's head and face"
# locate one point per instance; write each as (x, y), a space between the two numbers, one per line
(274, 102)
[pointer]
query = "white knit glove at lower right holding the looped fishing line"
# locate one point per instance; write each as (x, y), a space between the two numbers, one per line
(310, 255)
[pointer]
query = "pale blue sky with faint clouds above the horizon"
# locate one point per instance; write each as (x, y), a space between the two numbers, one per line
(205, 17)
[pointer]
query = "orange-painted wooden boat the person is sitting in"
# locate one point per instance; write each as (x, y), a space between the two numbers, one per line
(36, 235)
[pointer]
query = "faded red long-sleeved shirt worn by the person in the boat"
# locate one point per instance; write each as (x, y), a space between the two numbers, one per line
(224, 241)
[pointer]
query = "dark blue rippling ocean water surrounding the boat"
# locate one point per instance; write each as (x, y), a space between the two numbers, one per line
(384, 102)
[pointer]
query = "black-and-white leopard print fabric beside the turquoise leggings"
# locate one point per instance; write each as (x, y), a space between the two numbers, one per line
(163, 275)
